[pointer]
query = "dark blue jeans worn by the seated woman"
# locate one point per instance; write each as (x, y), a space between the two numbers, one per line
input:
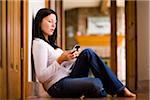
(78, 83)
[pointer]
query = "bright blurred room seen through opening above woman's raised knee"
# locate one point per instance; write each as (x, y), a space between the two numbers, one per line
(100, 25)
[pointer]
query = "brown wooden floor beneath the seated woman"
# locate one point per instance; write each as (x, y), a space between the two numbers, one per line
(140, 96)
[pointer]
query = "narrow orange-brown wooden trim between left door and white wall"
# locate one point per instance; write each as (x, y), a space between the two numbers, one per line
(25, 48)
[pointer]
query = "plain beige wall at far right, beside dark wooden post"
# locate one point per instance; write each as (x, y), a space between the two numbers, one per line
(143, 39)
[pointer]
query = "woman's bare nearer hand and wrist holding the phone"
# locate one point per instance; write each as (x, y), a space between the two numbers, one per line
(65, 56)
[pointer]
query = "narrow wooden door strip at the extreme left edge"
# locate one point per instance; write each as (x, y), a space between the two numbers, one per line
(3, 67)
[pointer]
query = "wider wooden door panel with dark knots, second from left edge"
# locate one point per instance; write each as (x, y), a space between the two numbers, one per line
(13, 49)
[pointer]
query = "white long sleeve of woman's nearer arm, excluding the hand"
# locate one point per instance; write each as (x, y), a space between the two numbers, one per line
(42, 69)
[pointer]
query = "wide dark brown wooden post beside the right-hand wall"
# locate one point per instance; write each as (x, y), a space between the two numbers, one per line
(131, 44)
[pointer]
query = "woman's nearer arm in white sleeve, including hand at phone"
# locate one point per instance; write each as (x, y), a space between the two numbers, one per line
(42, 69)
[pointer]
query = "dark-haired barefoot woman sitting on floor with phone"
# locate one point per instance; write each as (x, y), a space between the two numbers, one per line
(65, 73)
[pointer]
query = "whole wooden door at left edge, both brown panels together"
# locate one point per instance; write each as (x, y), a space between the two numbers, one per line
(10, 69)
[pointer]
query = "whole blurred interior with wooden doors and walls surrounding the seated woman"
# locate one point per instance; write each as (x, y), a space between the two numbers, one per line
(117, 30)
